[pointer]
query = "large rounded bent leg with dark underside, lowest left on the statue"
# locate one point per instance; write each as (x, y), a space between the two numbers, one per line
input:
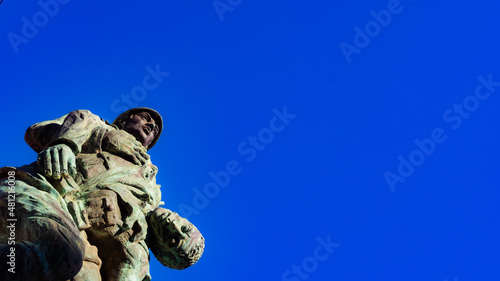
(47, 242)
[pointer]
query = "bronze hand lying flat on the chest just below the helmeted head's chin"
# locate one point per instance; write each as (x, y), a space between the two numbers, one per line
(126, 146)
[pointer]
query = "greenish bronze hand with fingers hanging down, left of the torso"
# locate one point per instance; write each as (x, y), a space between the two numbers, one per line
(56, 161)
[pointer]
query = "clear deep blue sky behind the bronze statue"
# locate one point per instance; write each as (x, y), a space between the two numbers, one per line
(388, 169)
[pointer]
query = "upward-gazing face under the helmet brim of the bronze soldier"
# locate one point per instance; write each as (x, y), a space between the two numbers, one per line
(142, 126)
